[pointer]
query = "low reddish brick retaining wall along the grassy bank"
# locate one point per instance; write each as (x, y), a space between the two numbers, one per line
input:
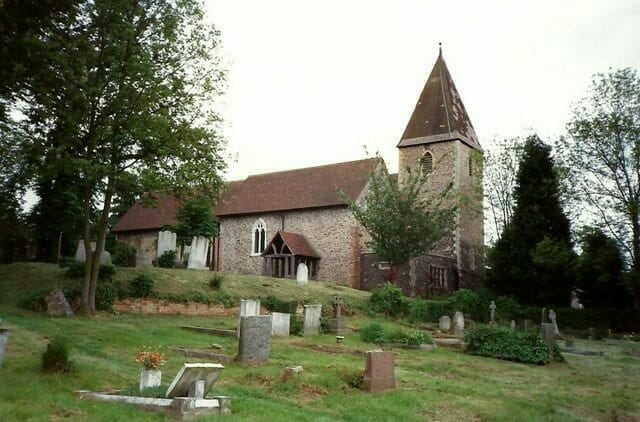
(163, 307)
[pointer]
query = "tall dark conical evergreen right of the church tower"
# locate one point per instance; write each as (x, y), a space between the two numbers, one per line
(533, 260)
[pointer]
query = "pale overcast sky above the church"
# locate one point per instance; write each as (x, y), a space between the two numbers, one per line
(311, 82)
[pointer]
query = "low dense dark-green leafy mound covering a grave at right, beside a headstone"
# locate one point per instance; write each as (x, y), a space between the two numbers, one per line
(504, 343)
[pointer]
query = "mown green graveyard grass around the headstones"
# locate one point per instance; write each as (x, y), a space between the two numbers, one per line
(436, 385)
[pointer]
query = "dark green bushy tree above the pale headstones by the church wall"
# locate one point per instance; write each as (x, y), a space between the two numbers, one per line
(195, 218)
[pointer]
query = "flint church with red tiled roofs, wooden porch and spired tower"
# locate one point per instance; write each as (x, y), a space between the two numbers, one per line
(269, 223)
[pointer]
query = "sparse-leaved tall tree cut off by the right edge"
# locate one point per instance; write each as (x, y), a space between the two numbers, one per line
(603, 153)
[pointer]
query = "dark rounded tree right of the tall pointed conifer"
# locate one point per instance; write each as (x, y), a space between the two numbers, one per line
(600, 271)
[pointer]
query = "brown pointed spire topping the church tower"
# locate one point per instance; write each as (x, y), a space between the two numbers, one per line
(439, 114)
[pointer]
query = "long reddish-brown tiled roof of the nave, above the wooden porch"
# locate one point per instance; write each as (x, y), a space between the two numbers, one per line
(311, 187)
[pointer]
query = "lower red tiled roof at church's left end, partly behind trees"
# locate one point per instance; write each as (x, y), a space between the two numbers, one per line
(156, 215)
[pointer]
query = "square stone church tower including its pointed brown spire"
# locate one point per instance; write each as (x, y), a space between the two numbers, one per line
(440, 140)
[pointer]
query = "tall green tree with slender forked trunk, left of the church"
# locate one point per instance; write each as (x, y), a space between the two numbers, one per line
(129, 91)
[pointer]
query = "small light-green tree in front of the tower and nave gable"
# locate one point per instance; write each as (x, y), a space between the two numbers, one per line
(402, 219)
